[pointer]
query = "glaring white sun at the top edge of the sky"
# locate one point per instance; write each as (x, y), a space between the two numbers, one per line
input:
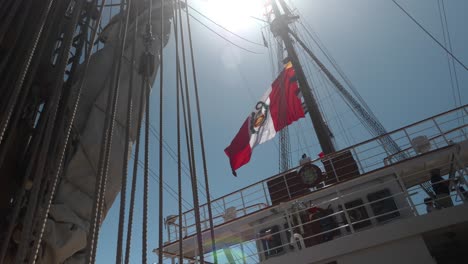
(235, 15)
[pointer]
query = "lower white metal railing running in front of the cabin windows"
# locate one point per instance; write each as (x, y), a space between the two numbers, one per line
(345, 225)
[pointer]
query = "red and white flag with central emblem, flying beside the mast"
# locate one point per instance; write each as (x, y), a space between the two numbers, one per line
(277, 108)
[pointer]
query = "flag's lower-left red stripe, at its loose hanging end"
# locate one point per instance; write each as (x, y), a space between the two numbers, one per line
(239, 151)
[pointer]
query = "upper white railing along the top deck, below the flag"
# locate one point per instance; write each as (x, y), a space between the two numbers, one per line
(438, 132)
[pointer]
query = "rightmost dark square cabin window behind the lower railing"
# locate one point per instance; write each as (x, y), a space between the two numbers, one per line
(385, 208)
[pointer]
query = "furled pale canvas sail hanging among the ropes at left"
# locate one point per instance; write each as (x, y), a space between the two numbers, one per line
(70, 215)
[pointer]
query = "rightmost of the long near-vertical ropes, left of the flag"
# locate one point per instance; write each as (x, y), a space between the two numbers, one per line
(202, 144)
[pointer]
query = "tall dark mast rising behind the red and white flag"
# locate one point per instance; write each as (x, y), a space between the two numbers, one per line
(280, 27)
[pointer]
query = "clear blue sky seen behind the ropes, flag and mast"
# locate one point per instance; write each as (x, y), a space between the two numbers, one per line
(400, 72)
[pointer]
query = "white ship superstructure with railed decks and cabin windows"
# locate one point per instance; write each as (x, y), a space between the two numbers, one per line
(367, 207)
